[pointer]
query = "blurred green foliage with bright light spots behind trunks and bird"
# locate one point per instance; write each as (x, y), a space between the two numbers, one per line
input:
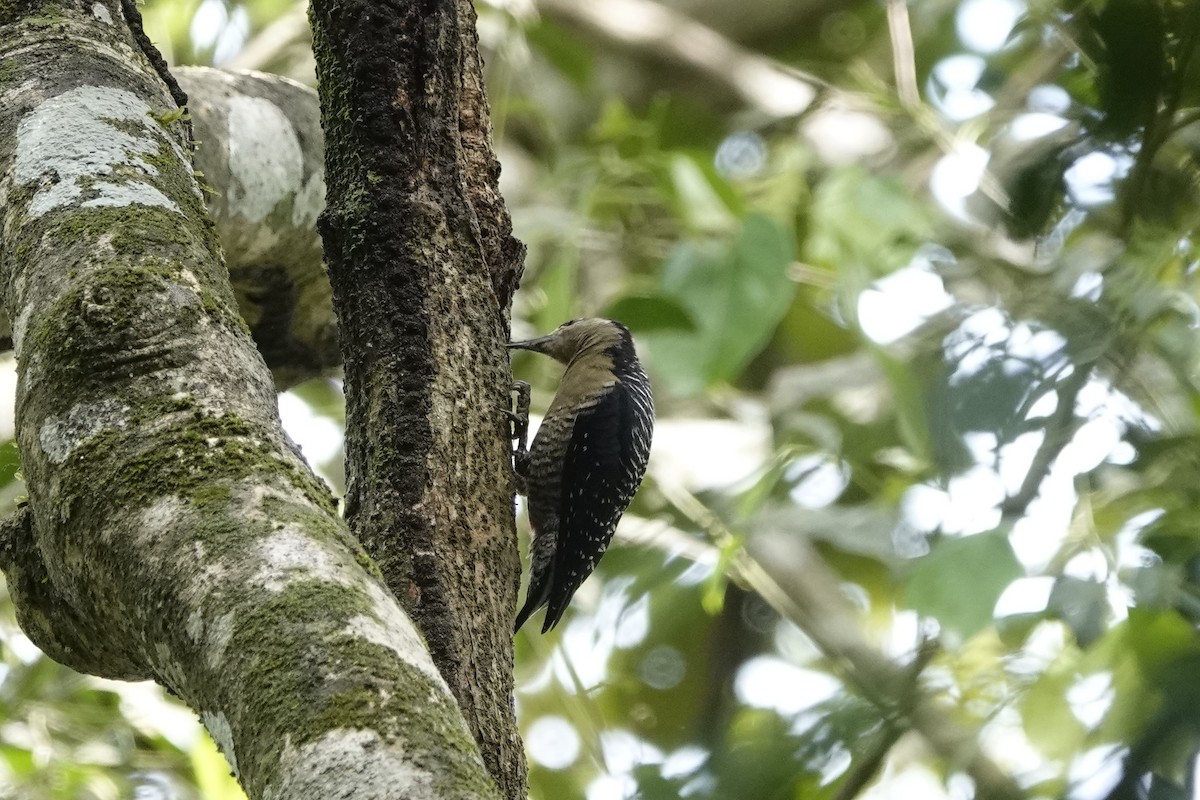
(951, 344)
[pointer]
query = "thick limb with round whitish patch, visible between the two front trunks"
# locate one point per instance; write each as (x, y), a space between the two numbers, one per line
(261, 143)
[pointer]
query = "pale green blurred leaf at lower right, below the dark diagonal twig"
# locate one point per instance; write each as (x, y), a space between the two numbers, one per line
(961, 581)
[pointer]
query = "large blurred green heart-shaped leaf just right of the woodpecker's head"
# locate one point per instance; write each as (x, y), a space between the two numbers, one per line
(736, 297)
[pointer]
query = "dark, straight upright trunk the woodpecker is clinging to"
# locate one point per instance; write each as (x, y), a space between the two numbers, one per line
(423, 267)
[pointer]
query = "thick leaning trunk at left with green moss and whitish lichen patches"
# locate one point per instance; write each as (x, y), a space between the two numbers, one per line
(172, 530)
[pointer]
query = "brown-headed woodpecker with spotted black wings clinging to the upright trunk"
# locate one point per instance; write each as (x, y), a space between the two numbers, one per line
(587, 460)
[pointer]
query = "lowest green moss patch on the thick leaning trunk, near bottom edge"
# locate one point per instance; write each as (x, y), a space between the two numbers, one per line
(373, 687)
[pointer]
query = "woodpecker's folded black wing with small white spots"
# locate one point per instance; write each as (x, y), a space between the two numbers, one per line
(602, 471)
